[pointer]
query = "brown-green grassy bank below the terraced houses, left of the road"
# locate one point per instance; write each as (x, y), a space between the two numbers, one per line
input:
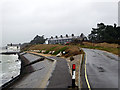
(70, 50)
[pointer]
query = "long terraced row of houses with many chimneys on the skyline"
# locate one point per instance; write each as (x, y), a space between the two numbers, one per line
(64, 39)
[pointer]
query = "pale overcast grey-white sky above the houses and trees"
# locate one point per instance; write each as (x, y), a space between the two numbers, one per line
(22, 20)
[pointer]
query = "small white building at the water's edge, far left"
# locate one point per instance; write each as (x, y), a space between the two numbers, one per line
(13, 47)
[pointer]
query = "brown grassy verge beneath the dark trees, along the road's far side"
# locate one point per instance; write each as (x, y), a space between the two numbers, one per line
(112, 48)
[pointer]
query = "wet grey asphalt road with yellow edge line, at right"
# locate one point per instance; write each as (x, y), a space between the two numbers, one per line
(102, 69)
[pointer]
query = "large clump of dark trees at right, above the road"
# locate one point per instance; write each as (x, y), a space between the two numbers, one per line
(104, 33)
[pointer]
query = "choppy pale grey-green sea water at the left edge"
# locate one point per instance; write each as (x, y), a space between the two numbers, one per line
(9, 67)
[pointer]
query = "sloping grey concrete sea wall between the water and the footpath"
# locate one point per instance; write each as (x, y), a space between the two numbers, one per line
(35, 72)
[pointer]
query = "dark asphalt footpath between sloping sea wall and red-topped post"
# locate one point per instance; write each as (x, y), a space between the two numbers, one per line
(61, 77)
